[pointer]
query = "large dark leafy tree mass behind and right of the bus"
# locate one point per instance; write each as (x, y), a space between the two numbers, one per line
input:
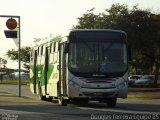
(142, 27)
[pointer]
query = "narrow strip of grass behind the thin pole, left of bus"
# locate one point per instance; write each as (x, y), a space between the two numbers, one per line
(14, 82)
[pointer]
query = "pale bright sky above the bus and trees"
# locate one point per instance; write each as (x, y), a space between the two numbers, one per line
(42, 18)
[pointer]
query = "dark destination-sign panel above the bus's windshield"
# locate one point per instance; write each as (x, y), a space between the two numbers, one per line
(103, 35)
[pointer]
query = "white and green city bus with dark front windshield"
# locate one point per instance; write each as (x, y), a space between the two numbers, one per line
(81, 66)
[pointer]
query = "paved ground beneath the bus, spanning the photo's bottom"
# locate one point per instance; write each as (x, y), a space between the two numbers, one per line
(28, 107)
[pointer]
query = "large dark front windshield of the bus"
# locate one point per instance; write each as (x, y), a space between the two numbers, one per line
(98, 57)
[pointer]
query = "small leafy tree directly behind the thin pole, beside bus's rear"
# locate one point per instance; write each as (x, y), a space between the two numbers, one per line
(24, 56)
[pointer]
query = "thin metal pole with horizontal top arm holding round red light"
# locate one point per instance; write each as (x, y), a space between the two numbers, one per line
(19, 49)
